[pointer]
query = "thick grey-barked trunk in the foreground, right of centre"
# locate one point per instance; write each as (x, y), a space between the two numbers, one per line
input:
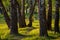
(42, 17)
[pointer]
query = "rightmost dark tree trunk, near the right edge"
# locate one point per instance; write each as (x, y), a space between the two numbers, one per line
(57, 17)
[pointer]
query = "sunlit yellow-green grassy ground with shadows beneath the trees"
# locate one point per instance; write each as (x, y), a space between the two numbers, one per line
(28, 33)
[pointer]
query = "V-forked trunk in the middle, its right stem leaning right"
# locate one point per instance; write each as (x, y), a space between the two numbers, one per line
(32, 7)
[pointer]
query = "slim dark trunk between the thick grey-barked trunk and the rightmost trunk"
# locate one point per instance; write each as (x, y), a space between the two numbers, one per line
(49, 18)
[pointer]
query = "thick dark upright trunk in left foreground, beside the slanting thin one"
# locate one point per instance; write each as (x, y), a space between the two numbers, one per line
(14, 27)
